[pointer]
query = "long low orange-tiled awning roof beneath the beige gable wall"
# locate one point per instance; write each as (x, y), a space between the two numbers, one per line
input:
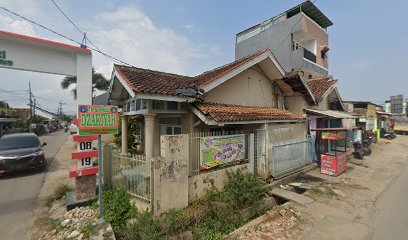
(236, 113)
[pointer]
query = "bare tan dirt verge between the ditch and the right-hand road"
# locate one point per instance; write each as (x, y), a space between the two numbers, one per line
(344, 204)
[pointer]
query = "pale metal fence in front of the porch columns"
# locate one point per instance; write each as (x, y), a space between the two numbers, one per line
(132, 172)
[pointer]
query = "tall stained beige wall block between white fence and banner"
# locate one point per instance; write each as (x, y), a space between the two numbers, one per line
(170, 181)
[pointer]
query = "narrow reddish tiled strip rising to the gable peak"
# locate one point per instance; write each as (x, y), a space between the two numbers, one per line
(209, 76)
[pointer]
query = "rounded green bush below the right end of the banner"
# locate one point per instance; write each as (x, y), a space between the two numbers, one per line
(242, 189)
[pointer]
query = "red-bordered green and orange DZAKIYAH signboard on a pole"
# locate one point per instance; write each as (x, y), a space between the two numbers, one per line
(98, 120)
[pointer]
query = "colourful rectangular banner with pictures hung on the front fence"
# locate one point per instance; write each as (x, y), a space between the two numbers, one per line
(215, 151)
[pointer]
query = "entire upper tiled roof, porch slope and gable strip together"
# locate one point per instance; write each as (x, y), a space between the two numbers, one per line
(155, 82)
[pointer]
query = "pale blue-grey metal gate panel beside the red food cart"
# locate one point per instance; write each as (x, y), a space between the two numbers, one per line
(292, 156)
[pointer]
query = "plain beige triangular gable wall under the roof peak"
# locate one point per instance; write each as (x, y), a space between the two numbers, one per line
(249, 88)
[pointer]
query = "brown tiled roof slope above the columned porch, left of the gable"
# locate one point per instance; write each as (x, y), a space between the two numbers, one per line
(153, 82)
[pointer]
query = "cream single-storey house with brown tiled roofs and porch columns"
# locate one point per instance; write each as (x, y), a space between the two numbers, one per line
(247, 95)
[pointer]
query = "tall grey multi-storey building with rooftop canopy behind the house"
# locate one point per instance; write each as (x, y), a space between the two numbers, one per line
(296, 37)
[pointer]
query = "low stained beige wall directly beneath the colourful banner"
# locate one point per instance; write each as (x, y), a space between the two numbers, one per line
(198, 183)
